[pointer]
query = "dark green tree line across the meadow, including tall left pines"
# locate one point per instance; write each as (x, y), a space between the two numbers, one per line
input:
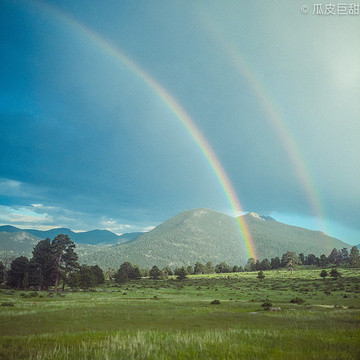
(54, 262)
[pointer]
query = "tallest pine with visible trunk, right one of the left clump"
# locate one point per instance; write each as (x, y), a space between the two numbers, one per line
(65, 258)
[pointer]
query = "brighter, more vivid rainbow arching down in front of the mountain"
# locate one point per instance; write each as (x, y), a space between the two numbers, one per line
(111, 50)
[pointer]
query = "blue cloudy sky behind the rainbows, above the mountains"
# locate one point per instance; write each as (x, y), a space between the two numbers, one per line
(85, 143)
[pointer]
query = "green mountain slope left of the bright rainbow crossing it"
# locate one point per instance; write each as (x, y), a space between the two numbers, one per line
(194, 235)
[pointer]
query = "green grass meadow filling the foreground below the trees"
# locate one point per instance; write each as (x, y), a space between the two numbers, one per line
(176, 320)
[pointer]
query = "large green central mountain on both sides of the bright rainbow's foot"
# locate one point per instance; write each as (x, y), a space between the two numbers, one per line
(206, 235)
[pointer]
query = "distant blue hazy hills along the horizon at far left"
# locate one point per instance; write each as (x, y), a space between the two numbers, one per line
(93, 237)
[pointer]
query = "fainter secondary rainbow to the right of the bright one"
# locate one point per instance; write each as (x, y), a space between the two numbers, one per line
(274, 117)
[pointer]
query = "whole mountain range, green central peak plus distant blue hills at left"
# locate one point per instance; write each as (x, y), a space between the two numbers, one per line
(195, 235)
